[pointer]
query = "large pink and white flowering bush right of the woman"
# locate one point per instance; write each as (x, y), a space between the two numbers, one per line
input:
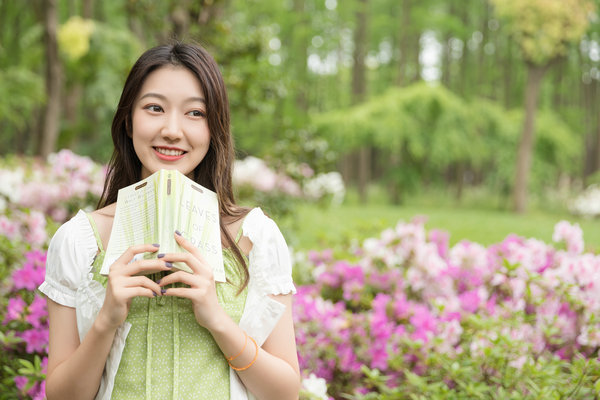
(407, 316)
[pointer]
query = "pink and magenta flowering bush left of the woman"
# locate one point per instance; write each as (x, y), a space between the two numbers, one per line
(34, 198)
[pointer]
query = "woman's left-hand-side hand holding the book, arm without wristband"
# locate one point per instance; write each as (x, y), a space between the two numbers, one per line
(125, 283)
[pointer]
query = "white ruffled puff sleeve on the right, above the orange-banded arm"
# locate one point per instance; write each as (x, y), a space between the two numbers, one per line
(270, 264)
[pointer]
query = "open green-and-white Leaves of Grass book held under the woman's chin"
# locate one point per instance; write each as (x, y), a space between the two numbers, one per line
(150, 211)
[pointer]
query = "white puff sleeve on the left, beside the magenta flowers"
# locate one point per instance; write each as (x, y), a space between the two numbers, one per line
(70, 255)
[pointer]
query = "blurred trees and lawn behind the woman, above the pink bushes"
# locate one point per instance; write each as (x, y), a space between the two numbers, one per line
(472, 112)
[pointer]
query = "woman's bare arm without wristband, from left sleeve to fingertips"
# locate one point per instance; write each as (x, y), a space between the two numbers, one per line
(75, 369)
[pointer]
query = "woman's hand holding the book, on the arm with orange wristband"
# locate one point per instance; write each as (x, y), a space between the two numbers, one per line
(201, 291)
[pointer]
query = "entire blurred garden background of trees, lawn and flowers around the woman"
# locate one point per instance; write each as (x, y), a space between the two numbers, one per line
(433, 165)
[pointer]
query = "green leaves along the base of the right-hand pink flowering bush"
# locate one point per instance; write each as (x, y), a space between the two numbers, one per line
(500, 371)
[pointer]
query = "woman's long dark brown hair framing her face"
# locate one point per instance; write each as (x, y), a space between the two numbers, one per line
(214, 172)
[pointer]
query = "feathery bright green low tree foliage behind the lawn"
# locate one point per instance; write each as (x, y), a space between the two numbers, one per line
(424, 131)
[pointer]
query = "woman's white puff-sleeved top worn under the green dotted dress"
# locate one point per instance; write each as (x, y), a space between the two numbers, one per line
(69, 282)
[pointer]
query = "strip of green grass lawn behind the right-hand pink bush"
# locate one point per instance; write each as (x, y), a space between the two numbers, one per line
(318, 228)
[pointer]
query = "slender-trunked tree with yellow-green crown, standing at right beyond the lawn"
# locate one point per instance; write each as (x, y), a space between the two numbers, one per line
(543, 29)
